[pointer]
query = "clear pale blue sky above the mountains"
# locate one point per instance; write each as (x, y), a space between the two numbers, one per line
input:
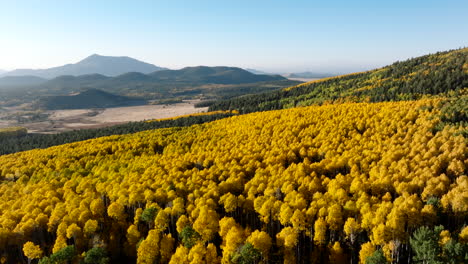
(272, 35)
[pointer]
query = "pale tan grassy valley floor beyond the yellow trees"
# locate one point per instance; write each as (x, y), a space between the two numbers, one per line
(66, 120)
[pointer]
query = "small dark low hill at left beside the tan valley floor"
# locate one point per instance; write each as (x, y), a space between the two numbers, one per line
(91, 98)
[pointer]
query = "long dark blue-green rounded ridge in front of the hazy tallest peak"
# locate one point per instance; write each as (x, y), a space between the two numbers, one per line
(159, 81)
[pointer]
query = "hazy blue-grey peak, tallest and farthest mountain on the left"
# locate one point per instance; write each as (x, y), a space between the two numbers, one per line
(94, 64)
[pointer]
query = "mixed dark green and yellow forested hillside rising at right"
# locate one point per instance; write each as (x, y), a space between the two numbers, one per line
(411, 79)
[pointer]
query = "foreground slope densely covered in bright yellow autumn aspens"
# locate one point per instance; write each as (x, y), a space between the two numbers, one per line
(348, 183)
